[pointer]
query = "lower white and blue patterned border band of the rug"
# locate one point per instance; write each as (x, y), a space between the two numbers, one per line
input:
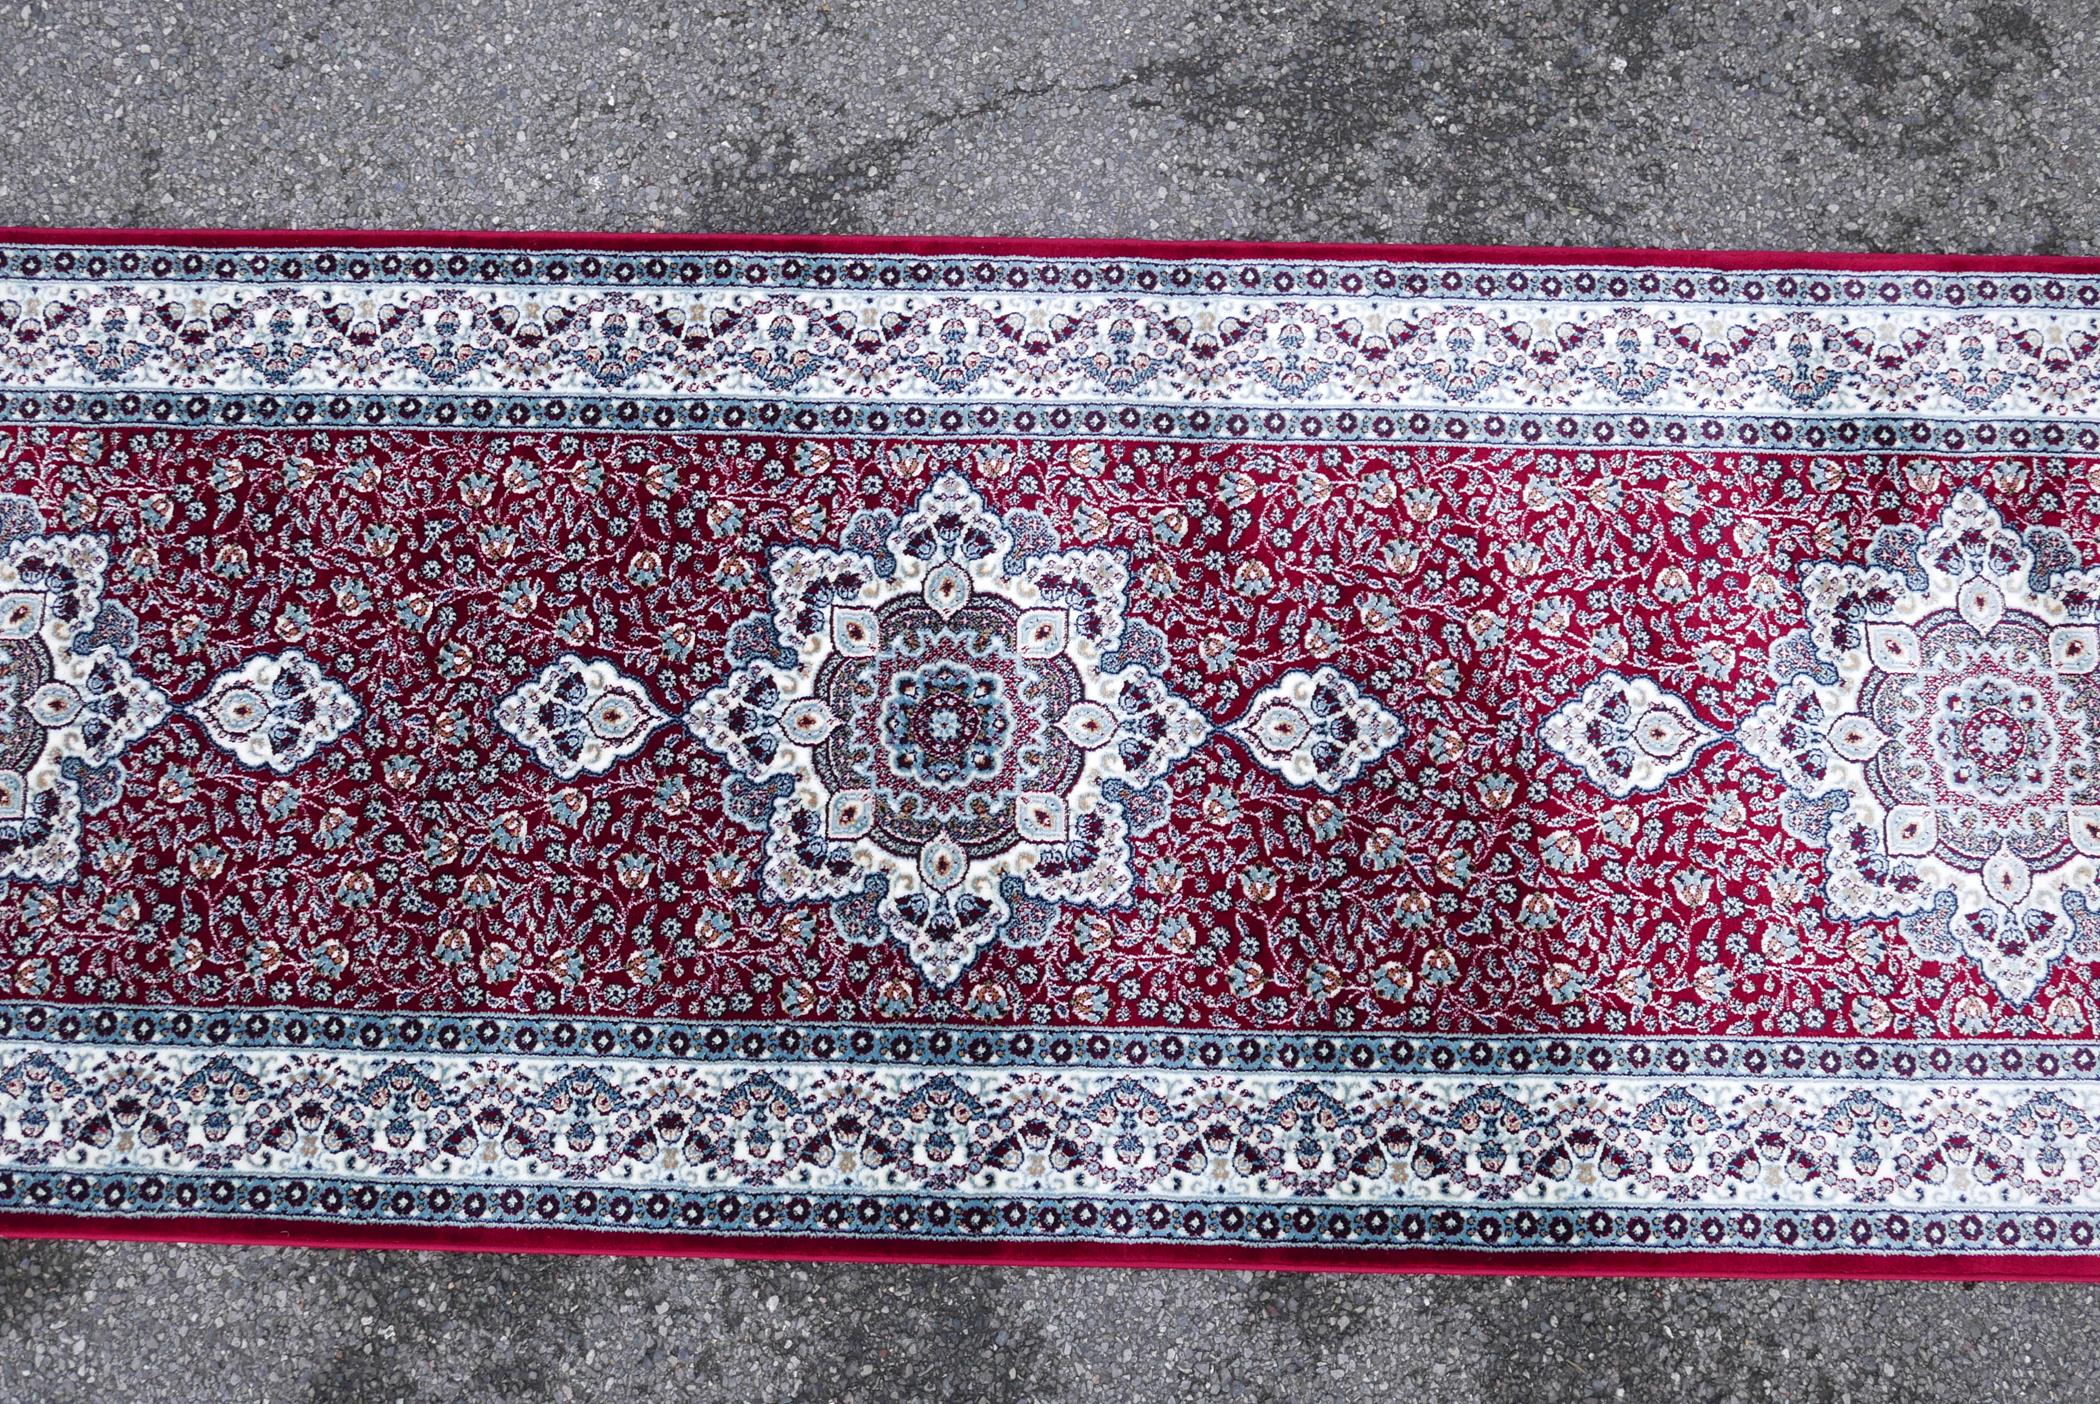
(1941, 1149)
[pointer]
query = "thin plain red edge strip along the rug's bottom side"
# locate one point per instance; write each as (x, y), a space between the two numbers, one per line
(1219, 1258)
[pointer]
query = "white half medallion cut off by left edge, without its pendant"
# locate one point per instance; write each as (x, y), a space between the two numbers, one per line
(70, 702)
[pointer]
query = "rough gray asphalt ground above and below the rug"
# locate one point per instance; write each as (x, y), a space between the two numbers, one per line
(1767, 125)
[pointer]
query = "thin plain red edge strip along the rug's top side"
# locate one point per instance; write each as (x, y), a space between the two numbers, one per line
(539, 240)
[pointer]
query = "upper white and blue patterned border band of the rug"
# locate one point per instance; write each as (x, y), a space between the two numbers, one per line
(1265, 347)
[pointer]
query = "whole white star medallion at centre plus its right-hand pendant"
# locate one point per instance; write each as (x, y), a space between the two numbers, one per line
(954, 733)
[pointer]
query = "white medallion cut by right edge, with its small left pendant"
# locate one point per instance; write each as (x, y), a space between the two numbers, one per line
(1937, 727)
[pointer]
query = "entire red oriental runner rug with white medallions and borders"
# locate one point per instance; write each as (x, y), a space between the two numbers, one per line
(1053, 752)
